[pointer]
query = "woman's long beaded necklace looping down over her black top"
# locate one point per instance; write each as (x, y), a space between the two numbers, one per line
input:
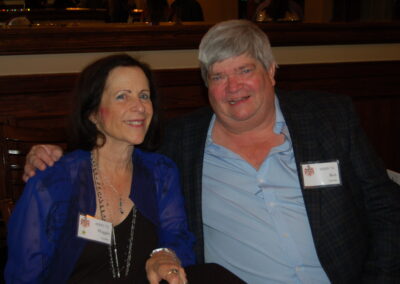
(112, 249)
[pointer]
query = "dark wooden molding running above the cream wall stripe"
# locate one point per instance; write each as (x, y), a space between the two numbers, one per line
(81, 38)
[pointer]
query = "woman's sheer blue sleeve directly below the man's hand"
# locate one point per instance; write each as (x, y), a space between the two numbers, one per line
(32, 235)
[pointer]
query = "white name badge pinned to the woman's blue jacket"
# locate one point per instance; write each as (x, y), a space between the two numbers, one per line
(94, 229)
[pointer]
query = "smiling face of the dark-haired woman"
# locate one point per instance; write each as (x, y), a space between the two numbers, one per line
(126, 109)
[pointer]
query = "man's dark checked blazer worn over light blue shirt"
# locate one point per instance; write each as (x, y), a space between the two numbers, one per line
(355, 226)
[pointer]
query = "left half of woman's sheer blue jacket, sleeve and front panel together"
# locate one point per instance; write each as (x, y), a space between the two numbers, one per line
(42, 242)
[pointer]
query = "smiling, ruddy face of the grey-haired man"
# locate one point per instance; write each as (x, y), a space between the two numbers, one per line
(241, 90)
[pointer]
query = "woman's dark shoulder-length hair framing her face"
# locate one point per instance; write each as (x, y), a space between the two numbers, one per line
(88, 93)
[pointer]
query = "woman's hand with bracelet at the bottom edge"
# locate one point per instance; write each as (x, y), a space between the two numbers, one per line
(165, 265)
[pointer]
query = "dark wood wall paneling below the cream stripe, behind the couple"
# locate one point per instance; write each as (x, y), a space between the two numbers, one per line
(44, 100)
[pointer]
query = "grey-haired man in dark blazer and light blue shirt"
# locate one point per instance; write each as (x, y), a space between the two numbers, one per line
(279, 188)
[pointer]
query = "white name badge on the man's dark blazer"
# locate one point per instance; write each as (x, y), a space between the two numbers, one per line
(320, 174)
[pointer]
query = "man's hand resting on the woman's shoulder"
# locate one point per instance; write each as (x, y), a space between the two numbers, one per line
(39, 157)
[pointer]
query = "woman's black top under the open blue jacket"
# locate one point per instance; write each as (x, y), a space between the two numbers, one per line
(93, 266)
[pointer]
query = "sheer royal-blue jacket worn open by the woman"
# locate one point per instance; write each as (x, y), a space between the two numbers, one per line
(42, 232)
